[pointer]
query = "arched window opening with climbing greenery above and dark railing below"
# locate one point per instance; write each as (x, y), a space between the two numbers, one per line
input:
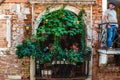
(64, 30)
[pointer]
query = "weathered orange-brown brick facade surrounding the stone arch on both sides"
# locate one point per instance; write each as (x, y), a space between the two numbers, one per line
(10, 65)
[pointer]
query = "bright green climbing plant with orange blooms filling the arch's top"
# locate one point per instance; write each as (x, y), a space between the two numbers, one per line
(59, 23)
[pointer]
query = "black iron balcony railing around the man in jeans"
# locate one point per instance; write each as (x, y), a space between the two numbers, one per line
(103, 36)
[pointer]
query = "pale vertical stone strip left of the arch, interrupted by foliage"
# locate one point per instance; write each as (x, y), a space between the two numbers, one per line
(32, 61)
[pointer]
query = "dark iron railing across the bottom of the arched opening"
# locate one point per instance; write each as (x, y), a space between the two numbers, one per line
(62, 69)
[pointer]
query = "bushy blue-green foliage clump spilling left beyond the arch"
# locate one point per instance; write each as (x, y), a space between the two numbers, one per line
(28, 48)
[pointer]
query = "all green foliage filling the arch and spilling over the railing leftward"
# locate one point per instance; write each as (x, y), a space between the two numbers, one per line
(57, 23)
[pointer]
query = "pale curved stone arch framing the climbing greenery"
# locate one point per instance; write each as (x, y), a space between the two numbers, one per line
(70, 8)
